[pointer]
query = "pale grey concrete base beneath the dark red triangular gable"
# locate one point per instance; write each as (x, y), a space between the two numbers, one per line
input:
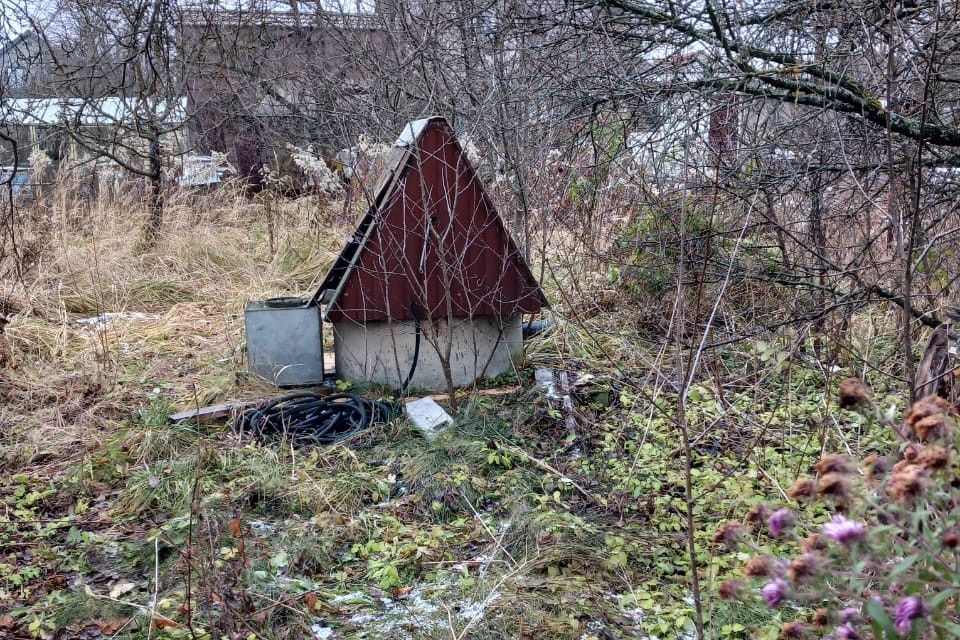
(382, 352)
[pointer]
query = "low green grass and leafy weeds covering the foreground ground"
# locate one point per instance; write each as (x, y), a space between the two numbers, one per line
(454, 520)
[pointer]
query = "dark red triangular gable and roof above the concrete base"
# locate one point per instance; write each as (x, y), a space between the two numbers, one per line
(431, 238)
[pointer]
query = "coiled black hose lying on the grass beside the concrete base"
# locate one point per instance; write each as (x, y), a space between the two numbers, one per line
(309, 419)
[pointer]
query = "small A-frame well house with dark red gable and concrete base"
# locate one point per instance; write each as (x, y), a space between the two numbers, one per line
(432, 257)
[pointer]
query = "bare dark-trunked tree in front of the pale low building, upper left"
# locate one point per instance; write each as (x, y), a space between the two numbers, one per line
(114, 83)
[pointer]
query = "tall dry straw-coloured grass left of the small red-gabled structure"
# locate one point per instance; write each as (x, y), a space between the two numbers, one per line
(174, 311)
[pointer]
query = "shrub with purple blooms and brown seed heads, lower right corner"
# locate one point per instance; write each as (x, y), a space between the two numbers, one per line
(884, 564)
